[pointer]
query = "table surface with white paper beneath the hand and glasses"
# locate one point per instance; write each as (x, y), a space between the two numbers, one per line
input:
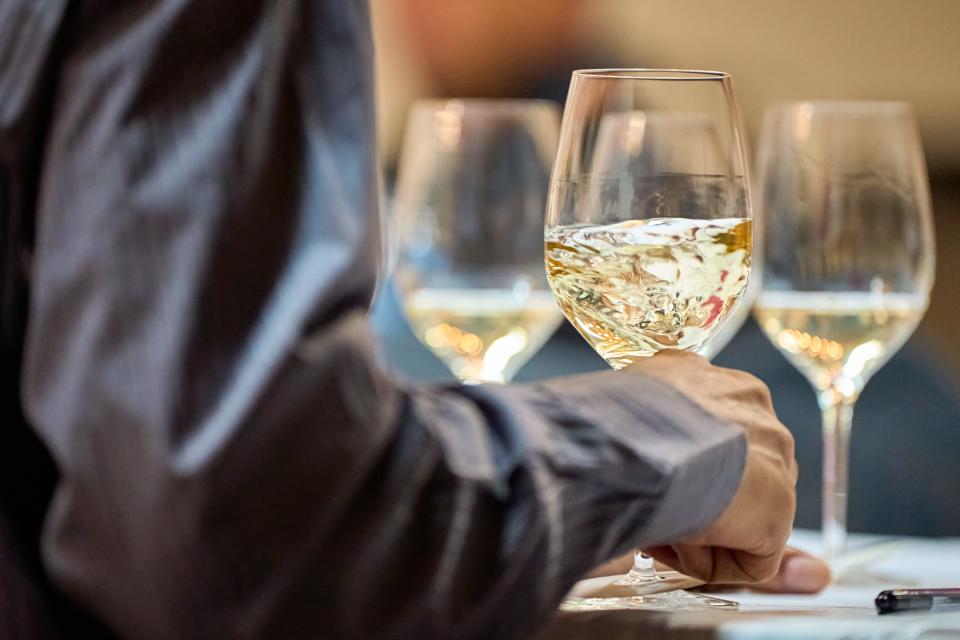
(844, 610)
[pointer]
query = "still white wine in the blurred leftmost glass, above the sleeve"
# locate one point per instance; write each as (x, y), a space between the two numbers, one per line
(482, 335)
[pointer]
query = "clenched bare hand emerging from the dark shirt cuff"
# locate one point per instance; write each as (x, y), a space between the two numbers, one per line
(746, 543)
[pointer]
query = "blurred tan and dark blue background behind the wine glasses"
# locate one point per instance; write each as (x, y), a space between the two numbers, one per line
(905, 466)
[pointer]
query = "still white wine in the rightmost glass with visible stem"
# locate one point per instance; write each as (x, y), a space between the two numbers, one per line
(834, 335)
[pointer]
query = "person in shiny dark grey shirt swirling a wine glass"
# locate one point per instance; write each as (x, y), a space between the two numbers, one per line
(197, 441)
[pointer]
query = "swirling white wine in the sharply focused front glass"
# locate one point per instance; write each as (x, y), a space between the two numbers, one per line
(637, 287)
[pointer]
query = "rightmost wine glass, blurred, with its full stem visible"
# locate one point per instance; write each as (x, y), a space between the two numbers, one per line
(849, 258)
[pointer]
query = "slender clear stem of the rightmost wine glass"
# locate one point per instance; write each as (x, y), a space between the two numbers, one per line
(837, 410)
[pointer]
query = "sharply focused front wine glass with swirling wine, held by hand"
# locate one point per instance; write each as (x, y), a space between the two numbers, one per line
(648, 231)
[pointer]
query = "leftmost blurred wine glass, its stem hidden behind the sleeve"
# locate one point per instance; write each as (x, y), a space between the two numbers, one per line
(469, 201)
